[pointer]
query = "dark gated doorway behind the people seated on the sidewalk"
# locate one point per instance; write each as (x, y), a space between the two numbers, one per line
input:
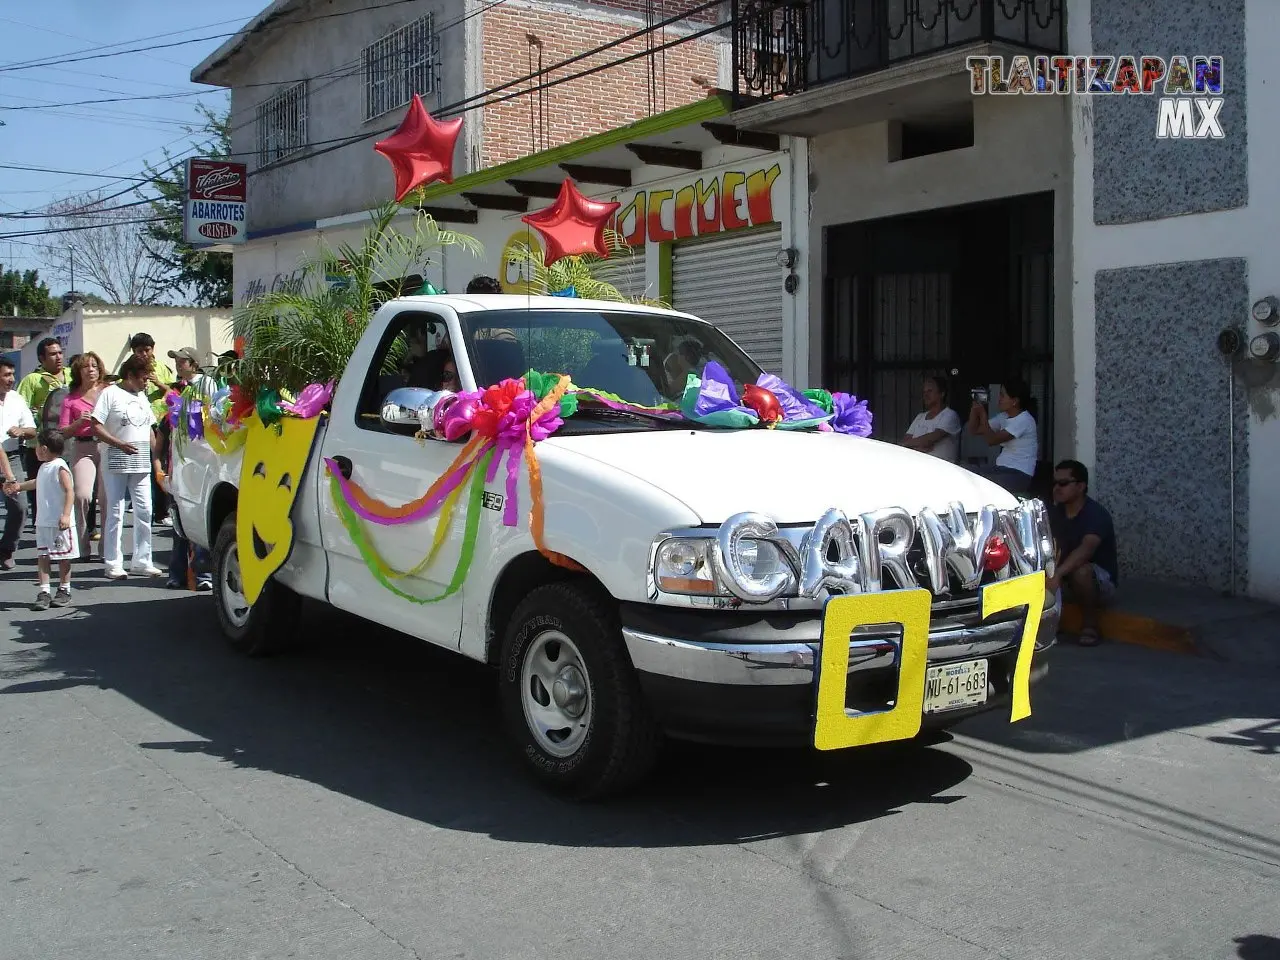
(966, 292)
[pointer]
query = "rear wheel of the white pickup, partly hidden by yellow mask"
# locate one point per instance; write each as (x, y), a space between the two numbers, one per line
(257, 630)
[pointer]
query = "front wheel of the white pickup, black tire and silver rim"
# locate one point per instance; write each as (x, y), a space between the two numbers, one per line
(570, 696)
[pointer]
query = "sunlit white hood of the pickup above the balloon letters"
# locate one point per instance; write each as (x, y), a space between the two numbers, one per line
(790, 477)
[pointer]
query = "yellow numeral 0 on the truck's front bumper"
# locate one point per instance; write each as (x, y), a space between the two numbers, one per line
(835, 728)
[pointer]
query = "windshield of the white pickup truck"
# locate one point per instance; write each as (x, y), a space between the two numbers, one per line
(644, 359)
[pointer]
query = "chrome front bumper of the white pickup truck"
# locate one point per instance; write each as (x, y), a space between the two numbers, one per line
(793, 664)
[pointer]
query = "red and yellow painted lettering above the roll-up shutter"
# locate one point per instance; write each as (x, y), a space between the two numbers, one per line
(730, 200)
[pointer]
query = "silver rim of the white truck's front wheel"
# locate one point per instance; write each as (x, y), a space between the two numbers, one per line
(556, 693)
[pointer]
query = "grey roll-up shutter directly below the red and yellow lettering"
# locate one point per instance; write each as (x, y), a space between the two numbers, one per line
(735, 284)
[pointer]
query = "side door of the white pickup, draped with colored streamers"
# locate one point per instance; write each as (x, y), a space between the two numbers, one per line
(390, 465)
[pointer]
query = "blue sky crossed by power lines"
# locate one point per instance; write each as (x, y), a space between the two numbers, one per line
(117, 139)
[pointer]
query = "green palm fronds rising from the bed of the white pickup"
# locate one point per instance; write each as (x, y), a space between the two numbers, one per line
(307, 336)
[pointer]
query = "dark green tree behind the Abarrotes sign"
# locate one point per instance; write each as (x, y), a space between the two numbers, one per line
(200, 277)
